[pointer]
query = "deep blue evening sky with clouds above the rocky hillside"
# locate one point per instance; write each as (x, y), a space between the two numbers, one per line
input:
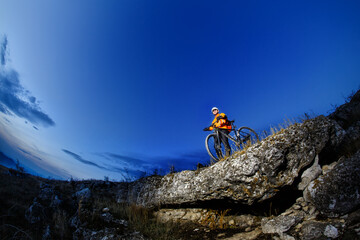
(115, 88)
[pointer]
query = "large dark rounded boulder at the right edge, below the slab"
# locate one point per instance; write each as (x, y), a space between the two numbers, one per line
(337, 192)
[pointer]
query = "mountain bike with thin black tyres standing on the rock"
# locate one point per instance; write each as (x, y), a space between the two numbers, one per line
(238, 139)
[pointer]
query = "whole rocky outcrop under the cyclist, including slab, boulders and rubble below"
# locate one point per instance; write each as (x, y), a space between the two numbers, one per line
(318, 160)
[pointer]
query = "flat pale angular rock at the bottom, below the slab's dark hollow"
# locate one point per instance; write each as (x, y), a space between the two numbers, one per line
(279, 224)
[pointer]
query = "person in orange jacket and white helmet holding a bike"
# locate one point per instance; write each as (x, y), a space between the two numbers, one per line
(221, 123)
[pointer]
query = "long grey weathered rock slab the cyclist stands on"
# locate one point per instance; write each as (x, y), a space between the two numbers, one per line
(247, 177)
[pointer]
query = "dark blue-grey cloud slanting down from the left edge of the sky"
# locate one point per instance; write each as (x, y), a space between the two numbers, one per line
(14, 98)
